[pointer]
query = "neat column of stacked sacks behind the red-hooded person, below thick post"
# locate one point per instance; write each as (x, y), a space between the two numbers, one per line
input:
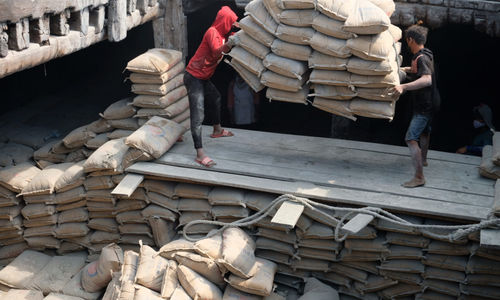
(157, 79)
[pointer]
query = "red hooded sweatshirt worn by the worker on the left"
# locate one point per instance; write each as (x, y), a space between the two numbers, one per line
(204, 62)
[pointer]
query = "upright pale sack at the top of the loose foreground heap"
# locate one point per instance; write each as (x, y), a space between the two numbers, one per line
(238, 252)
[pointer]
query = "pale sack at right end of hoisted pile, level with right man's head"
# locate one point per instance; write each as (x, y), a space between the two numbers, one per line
(372, 47)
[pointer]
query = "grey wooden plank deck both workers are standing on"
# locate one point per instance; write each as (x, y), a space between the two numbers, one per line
(333, 170)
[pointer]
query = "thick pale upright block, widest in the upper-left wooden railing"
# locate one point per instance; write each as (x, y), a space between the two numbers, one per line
(117, 20)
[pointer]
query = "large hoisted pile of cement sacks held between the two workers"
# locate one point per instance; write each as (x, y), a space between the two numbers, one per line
(347, 52)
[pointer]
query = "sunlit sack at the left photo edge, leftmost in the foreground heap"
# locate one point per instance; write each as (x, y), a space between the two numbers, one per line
(23, 269)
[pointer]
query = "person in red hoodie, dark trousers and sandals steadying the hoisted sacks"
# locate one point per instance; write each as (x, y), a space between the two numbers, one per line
(216, 41)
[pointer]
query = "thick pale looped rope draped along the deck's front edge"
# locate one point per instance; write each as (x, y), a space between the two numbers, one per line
(459, 231)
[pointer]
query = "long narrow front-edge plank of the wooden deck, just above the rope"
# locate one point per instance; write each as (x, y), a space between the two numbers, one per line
(313, 191)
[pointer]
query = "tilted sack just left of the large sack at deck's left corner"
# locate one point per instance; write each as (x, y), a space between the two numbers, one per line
(108, 157)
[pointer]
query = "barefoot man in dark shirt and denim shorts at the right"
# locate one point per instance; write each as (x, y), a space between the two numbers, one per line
(425, 97)
